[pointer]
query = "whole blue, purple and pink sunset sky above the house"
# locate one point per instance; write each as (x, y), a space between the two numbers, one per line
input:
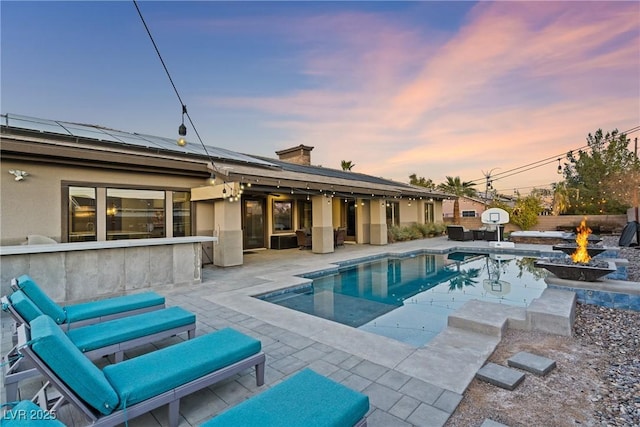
(432, 88)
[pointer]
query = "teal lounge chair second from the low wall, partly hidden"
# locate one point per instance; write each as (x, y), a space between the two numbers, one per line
(96, 340)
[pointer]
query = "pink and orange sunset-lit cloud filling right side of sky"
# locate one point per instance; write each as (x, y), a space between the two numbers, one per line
(517, 82)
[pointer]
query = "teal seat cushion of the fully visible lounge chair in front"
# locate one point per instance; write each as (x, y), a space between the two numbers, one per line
(151, 374)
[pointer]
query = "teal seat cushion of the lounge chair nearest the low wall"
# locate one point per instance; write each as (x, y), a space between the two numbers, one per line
(105, 307)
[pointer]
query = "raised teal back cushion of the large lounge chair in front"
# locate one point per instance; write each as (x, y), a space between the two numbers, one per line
(71, 366)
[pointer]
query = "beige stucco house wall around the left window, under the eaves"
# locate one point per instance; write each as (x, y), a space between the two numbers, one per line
(34, 206)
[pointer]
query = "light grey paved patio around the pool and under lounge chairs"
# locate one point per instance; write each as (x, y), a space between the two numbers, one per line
(407, 386)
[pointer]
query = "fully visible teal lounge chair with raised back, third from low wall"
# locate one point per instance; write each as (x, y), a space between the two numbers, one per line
(128, 389)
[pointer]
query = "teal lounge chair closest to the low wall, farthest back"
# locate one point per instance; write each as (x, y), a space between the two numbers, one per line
(90, 312)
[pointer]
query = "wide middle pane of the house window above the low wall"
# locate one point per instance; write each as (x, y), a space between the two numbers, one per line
(135, 214)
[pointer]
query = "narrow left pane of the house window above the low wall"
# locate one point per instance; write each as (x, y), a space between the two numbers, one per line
(82, 214)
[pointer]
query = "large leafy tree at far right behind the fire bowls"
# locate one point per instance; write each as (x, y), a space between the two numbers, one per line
(593, 174)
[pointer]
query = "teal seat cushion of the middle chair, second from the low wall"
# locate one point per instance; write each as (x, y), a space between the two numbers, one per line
(124, 329)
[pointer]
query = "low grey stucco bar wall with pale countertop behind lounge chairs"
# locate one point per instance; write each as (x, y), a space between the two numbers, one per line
(74, 272)
